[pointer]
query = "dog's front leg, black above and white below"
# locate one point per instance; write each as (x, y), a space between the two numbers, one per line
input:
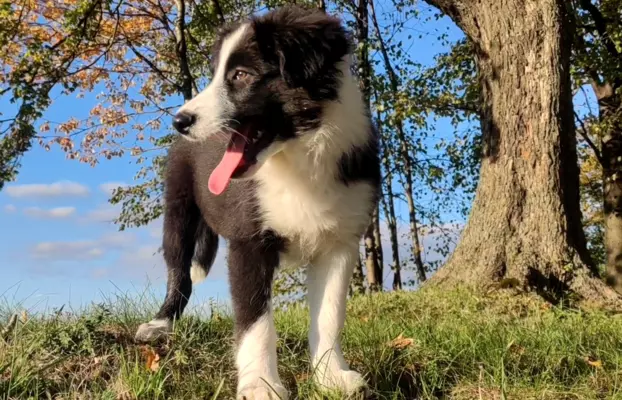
(251, 270)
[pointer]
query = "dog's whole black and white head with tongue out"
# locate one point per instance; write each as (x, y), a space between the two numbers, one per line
(271, 77)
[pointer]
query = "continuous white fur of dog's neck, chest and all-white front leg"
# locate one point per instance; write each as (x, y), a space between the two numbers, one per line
(302, 199)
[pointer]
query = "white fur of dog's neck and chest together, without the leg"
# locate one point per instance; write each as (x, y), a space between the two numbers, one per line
(300, 195)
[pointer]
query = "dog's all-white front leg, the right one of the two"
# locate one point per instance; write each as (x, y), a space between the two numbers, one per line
(327, 285)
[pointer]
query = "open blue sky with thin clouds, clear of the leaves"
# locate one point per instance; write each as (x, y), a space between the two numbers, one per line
(57, 243)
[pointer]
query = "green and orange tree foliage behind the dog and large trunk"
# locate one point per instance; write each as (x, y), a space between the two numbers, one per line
(139, 60)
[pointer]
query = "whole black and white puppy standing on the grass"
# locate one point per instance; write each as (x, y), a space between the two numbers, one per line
(280, 158)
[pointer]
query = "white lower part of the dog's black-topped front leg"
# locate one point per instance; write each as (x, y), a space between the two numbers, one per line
(256, 362)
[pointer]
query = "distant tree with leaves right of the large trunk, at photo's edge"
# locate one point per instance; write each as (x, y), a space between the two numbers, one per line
(597, 62)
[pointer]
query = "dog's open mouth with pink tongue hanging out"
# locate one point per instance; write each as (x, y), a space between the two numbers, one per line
(240, 155)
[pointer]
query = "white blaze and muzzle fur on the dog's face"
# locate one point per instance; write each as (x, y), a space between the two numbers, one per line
(212, 108)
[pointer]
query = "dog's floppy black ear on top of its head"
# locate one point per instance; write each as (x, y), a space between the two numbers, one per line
(304, 44)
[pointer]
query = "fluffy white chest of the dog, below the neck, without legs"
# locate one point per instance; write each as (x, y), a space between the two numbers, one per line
(312, 213)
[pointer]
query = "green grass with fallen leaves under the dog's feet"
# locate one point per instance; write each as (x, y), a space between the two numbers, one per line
(464, 346)
